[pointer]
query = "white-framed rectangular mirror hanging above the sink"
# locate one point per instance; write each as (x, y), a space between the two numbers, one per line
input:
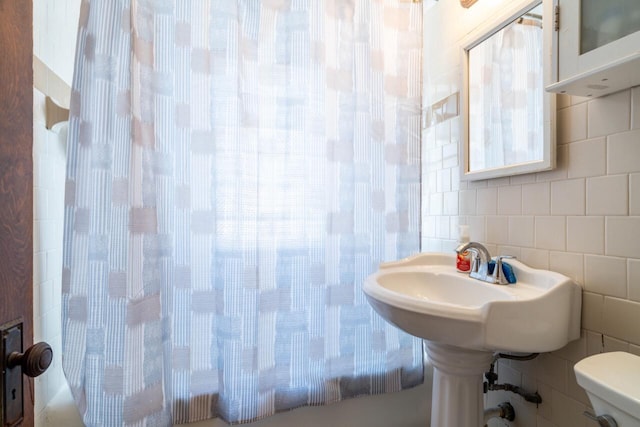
(508, 119)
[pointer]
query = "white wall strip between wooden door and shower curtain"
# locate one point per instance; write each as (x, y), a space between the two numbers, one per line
(54, 33)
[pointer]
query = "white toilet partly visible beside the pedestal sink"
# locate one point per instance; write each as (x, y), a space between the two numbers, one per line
(612, 382)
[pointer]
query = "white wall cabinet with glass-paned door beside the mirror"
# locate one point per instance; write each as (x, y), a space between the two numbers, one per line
(598, 35)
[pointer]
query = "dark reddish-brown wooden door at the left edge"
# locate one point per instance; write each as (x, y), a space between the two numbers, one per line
(16, 175)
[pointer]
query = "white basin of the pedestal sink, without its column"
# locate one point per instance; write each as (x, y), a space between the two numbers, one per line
(425, 296)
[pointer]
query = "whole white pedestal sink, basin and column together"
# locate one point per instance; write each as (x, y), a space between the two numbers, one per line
(465, 321)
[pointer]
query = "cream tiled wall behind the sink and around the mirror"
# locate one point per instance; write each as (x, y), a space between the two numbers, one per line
(582, 219)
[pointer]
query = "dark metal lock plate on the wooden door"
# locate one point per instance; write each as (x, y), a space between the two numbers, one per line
(11, 393)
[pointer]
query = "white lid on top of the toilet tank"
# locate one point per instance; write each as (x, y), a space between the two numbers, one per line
(614, 377)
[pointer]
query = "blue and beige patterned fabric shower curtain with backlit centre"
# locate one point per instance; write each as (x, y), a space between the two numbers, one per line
(235, 170)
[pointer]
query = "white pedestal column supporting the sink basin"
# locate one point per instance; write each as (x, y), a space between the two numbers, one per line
(457, 385)
